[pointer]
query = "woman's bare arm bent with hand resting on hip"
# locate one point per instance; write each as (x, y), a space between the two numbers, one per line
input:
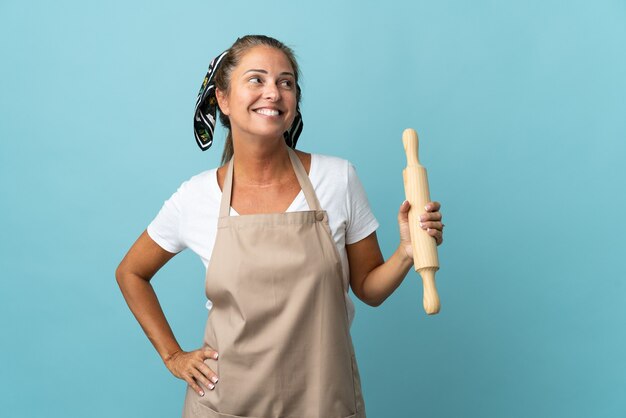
(133, 275)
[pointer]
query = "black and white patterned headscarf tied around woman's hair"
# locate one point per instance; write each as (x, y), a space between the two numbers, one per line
(206, 110)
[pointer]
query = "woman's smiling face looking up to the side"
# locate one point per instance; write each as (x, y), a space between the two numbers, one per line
(261, 101)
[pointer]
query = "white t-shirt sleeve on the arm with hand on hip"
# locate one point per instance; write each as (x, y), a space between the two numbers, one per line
(165, 227)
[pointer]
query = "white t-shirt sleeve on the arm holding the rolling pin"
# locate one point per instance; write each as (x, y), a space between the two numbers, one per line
(361, 220)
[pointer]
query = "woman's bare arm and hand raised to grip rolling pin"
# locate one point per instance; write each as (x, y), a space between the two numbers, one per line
(371, 278)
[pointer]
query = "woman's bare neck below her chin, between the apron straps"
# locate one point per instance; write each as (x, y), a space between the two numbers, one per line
(261, 162)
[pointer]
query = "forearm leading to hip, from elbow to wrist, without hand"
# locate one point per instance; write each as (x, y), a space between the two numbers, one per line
(144, 304)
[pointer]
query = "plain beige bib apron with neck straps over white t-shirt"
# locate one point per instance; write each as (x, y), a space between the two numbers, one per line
(279, 320)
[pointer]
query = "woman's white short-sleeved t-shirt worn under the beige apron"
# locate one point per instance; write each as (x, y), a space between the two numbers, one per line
(188, 219)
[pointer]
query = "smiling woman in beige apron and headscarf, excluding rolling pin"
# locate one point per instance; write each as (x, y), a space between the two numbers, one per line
(278, 274)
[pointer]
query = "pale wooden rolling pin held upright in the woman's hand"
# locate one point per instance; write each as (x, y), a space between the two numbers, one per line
(424, 246)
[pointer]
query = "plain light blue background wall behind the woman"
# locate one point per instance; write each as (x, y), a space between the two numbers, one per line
(520, 107)
